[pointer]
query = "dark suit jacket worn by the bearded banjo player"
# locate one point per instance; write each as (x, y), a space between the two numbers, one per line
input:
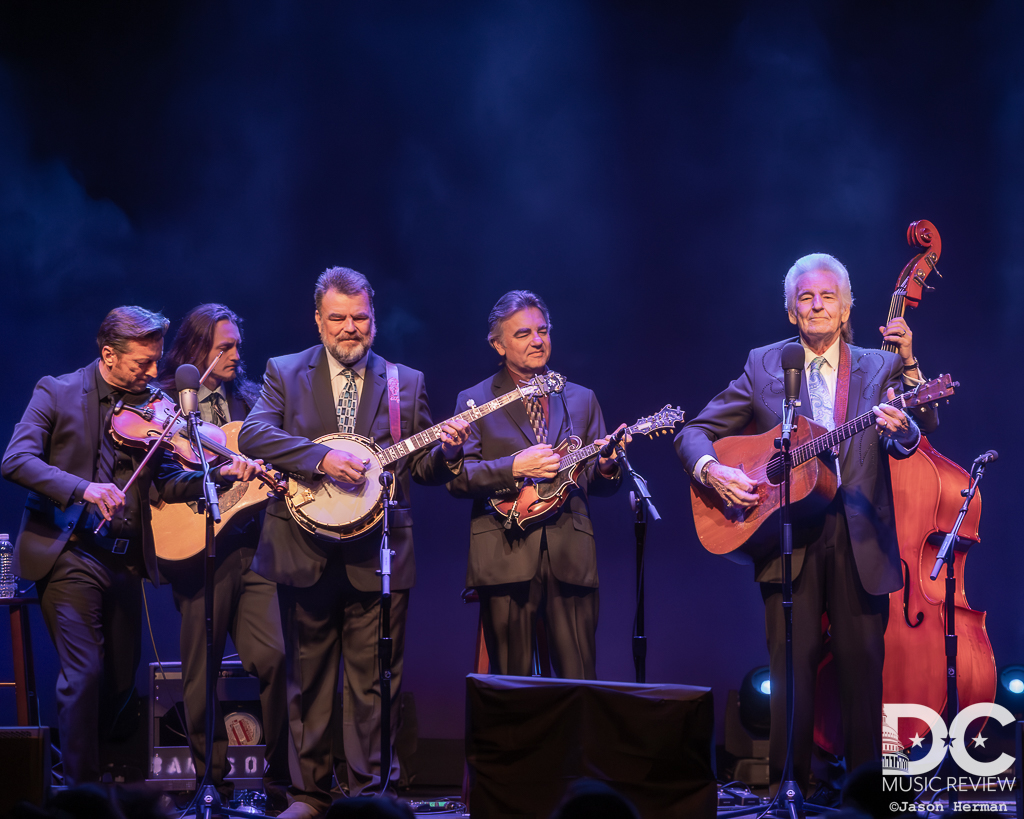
(295, 408)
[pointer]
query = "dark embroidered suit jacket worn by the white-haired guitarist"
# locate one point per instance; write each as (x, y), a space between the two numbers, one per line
(867, 492)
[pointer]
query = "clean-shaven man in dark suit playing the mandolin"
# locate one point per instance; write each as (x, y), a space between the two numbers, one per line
(549, 571)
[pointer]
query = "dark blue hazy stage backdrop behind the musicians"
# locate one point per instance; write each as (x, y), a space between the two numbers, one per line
(651, 169)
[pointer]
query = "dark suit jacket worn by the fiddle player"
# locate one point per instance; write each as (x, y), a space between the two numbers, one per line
(54, 455)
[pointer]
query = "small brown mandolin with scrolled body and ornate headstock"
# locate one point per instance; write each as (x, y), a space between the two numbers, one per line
(539, 500)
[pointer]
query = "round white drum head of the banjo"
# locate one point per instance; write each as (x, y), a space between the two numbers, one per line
(333, 510)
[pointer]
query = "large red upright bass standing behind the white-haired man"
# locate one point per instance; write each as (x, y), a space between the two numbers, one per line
(927, 499)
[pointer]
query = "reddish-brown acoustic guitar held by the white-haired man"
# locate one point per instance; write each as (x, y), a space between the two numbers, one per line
(746, 536)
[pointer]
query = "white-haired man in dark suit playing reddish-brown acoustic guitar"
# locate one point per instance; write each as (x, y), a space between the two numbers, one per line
(846, 558)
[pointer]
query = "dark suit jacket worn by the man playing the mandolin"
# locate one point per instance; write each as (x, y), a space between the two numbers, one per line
(498, 555)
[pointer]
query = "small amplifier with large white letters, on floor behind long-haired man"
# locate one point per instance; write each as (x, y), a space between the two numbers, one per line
(170, 761)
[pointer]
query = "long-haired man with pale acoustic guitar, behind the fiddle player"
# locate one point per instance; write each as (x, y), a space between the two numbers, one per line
(245, 605)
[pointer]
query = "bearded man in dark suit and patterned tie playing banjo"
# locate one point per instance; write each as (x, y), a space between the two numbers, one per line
(328, 583)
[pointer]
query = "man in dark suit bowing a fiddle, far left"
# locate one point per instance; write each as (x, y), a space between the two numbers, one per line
(91, 584)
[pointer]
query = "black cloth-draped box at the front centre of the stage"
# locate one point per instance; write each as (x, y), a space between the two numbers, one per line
(528, 738)
